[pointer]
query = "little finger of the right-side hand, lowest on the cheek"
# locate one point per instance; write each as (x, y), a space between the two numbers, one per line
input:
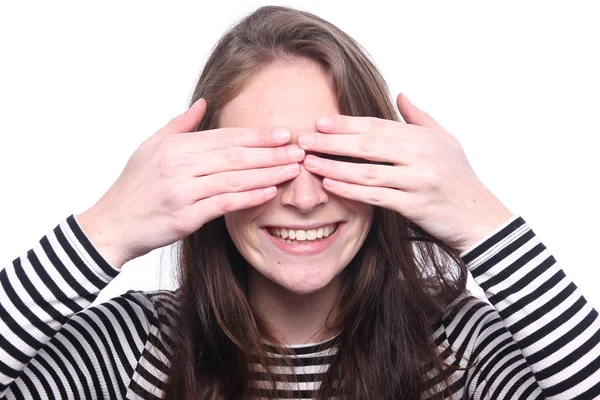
(392, 199)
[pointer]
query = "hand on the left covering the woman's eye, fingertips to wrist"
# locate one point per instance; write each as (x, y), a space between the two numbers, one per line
(178, 180)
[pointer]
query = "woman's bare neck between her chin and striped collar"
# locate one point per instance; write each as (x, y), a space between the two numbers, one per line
(294, 318)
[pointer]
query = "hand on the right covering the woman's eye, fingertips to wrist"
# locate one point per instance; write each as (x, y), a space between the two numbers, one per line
(428, 178)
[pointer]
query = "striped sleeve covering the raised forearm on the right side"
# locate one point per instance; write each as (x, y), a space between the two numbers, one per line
(556, 329)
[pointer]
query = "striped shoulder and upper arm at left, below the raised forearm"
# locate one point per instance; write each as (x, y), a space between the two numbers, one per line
(119, 342)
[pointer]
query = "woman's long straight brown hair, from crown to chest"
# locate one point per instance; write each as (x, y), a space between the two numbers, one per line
(396, 286)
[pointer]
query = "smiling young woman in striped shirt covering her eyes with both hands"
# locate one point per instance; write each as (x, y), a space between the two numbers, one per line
(325, 251)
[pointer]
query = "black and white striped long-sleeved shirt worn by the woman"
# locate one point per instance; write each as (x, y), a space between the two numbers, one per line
(536, 336)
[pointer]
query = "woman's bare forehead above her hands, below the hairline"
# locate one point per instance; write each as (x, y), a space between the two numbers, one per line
(291, 94)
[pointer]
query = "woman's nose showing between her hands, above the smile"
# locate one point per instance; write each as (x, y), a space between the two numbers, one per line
(305, 192)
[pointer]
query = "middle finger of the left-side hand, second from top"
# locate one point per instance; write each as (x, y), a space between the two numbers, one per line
(242, 158)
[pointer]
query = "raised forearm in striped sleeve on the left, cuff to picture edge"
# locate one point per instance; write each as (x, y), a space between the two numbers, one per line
(40, 290)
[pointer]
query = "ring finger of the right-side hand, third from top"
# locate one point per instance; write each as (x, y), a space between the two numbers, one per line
(367, 174)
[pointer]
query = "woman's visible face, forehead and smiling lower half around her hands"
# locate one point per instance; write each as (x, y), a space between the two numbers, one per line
(294, 95)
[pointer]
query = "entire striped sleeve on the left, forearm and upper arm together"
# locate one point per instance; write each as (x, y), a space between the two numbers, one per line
(50, 344)
